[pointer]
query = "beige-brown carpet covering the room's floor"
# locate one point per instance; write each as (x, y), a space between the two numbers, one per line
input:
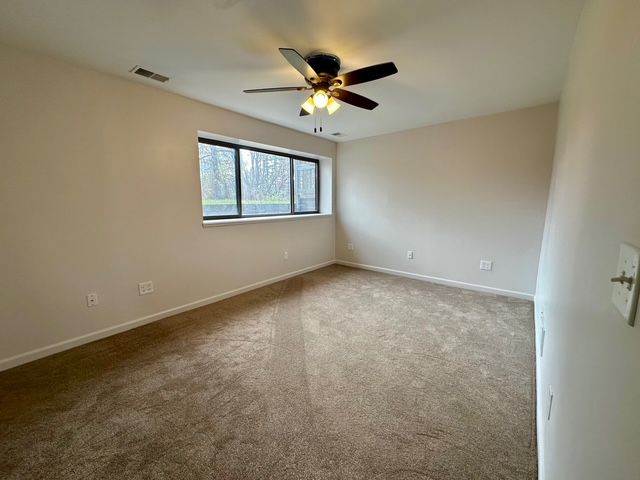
(336, 374)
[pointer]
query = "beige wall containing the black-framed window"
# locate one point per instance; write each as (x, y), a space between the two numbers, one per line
(100, 190)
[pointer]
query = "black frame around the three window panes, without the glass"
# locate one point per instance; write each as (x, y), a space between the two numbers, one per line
(236, 147)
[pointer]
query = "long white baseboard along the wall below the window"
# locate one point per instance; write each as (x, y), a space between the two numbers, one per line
(32, 355)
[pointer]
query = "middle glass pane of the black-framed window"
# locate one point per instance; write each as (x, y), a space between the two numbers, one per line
(266, 185)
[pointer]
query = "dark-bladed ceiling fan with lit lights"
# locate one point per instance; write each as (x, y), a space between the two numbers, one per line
(320, 71)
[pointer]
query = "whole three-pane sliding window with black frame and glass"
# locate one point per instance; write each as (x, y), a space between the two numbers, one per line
(240, 181)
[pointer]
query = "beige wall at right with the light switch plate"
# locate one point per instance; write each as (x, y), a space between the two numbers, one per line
(591, 356)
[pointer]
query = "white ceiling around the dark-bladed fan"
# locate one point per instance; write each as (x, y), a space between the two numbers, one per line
(456, 58)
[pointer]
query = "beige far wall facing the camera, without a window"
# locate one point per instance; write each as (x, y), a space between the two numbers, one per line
(454, 193)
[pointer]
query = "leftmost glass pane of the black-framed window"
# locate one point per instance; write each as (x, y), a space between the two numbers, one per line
(218, 180)
